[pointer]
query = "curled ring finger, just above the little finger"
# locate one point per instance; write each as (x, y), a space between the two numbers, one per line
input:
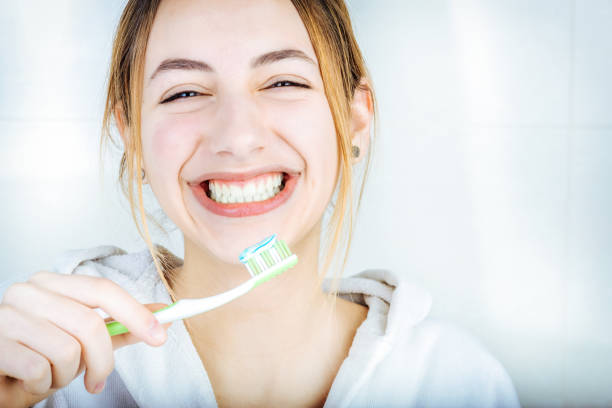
(61, 349)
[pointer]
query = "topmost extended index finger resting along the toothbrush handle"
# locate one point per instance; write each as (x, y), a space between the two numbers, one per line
(110, 297)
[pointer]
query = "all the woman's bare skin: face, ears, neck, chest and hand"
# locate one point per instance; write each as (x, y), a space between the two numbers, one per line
(280, 345)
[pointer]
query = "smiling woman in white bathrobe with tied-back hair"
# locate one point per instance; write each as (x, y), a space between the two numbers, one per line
(213, 100)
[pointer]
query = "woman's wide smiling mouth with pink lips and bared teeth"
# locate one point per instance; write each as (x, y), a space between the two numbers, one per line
(241, 198)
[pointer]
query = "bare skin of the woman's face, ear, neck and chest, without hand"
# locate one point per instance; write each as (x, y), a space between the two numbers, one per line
(283, 343)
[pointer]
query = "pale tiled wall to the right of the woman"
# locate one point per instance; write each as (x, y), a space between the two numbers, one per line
(494, 155)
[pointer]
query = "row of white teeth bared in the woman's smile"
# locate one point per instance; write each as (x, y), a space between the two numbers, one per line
(257, 190)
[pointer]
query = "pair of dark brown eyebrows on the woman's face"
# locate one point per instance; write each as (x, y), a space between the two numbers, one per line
(264, 59)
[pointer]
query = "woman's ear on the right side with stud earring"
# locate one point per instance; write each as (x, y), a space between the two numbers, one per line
(362, 112)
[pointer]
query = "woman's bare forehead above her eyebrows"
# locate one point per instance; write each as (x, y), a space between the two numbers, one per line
(224, 31)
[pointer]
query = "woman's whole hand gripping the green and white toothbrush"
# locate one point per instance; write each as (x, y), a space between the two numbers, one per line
(49, 334)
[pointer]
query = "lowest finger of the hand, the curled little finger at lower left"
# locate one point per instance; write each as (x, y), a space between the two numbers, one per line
(24, 364)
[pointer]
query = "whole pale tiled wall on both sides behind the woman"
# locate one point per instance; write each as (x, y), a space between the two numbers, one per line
(489, 186)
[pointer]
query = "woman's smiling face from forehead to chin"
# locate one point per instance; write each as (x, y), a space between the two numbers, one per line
(234, 110)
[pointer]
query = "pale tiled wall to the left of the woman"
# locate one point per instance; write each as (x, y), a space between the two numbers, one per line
(55, 59)
